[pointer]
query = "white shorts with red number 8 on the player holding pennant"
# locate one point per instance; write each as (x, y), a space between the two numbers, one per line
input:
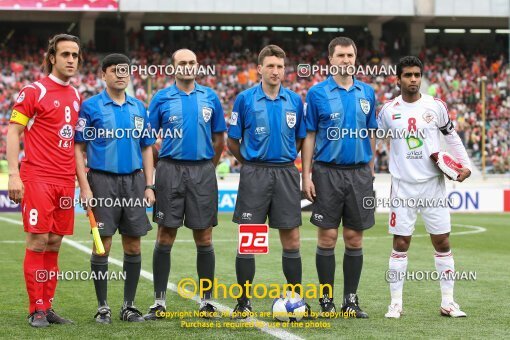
(428, 198)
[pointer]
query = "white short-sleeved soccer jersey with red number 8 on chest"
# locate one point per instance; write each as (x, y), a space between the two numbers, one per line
(420, 122)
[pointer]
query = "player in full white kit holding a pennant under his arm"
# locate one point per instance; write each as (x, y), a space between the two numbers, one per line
(415, 179)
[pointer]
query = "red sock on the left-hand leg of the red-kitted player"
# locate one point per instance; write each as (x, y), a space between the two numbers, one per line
(33, 267)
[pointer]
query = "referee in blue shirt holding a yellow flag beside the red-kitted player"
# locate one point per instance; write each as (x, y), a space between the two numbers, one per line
(113, 131)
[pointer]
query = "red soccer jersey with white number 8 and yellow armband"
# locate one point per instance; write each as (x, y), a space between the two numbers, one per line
(49, 110)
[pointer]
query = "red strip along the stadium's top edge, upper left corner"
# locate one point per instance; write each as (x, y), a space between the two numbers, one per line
(60, 5)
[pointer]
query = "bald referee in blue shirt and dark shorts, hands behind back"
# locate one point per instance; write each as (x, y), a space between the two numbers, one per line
(190, 120)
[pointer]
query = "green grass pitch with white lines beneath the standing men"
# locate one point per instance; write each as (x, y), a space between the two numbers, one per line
(479, 243)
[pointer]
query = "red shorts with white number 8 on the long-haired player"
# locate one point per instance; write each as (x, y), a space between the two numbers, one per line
(48, 208)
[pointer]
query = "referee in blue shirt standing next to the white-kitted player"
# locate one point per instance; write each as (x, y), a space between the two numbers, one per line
(340, 123)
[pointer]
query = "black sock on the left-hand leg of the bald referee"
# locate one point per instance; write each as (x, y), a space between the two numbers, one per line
(161, 261)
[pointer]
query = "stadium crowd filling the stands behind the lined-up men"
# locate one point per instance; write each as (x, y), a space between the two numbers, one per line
(452, 75)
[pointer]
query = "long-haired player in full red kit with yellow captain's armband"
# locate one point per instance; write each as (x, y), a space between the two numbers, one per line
(47, 112)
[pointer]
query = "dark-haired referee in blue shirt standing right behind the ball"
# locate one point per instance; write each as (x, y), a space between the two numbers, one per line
(265, 134)
